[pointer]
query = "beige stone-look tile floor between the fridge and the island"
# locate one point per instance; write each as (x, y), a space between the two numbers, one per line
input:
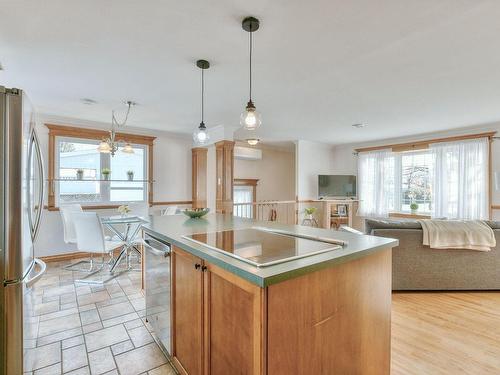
(81, 329)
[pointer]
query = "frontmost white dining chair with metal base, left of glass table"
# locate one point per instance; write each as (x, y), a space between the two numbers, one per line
(90, 239)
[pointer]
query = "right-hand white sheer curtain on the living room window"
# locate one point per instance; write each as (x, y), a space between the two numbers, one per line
(460, 179)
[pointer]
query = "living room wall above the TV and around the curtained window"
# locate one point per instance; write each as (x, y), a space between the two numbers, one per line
(343, 160)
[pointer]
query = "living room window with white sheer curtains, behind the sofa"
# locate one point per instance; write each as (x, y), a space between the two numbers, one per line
(447, 179)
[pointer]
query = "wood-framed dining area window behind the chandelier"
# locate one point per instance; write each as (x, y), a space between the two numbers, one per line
(76, 169)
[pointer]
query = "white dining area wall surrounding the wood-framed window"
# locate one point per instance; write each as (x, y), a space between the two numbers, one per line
(171, 168)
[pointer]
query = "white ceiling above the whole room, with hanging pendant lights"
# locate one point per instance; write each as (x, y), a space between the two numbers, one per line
(400, 66)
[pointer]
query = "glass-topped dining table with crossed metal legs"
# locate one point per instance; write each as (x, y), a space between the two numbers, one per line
(126, 229)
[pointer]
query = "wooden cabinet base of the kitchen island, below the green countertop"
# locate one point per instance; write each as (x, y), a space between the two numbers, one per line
(335, 320)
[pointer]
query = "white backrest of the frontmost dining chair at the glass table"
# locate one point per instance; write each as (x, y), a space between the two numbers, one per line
(89, 232)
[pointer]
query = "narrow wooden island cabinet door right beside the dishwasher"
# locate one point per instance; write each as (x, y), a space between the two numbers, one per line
(187, 294)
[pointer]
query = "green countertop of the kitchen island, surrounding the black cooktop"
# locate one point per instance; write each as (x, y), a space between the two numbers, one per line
(172, 228)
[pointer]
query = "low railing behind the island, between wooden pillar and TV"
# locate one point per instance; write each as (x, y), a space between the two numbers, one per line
(284, 212)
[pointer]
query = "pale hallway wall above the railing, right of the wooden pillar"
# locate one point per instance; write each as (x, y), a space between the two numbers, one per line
(275, 172)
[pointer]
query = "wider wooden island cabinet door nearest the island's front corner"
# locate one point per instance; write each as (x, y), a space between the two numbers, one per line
(233, 324)
